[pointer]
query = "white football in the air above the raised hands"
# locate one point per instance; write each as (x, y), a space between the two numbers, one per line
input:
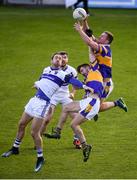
(79, 14)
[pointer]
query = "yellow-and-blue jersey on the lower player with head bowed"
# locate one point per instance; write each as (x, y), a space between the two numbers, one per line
(95, 81)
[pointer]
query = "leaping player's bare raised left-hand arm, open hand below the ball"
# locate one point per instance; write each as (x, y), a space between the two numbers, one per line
(85, 38)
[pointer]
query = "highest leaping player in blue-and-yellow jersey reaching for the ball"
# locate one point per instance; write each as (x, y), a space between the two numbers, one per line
(100, 53)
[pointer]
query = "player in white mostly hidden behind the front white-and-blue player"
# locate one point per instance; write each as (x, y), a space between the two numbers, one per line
(63, 97)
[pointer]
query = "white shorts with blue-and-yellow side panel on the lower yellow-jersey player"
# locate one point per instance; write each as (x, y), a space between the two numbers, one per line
(89, 107)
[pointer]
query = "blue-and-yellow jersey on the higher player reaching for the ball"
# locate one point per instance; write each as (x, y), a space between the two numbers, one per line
(104, 58)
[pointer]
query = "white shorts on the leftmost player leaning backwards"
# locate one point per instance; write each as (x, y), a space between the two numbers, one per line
(37, 107)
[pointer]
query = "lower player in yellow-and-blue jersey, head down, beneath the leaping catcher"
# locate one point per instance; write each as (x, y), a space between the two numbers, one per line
(88, 107)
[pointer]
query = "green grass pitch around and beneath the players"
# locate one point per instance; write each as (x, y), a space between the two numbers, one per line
(28, 37)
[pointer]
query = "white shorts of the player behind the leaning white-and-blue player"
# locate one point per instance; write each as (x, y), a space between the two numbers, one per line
(60, 99)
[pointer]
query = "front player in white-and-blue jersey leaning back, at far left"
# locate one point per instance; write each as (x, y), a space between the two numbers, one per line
(38, 106)
